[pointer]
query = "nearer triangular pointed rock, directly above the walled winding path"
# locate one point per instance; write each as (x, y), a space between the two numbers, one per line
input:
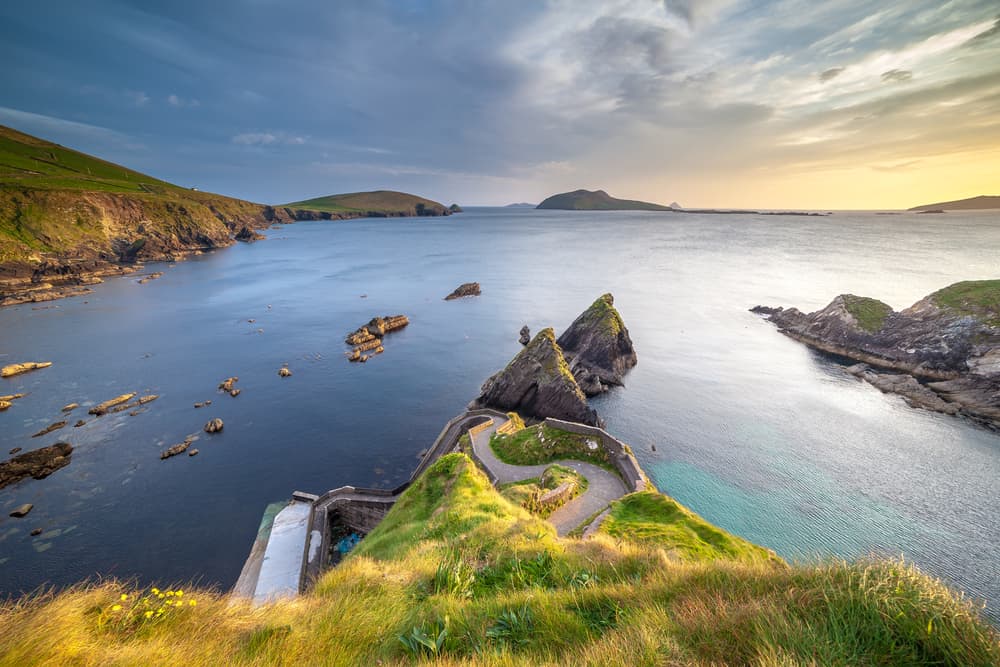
(538, 383)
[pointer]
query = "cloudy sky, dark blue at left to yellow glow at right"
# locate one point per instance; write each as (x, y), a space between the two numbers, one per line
(839, 104)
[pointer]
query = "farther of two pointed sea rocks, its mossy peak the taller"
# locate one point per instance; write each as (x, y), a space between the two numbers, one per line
(598, 347)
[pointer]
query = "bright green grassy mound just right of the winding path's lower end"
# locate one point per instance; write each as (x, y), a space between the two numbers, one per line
(653, 518)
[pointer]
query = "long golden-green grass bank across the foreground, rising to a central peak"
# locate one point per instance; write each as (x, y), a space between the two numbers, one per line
(456, 574)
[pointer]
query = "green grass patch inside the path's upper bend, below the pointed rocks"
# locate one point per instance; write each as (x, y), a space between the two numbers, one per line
(542, 444)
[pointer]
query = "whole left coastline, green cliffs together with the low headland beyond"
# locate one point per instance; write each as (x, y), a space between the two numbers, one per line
(68, 218)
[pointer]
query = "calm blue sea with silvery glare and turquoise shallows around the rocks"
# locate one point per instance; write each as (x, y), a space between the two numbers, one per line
(753, 431)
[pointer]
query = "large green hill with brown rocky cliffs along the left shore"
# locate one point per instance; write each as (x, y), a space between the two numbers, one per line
(64, 213)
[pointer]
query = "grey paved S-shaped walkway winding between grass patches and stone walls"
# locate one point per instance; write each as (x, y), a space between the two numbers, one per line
(602, 486)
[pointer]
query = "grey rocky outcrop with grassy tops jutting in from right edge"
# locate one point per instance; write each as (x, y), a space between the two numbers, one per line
(944, 350)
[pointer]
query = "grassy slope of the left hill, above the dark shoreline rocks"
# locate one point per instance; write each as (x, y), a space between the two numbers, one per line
(55, 199)
